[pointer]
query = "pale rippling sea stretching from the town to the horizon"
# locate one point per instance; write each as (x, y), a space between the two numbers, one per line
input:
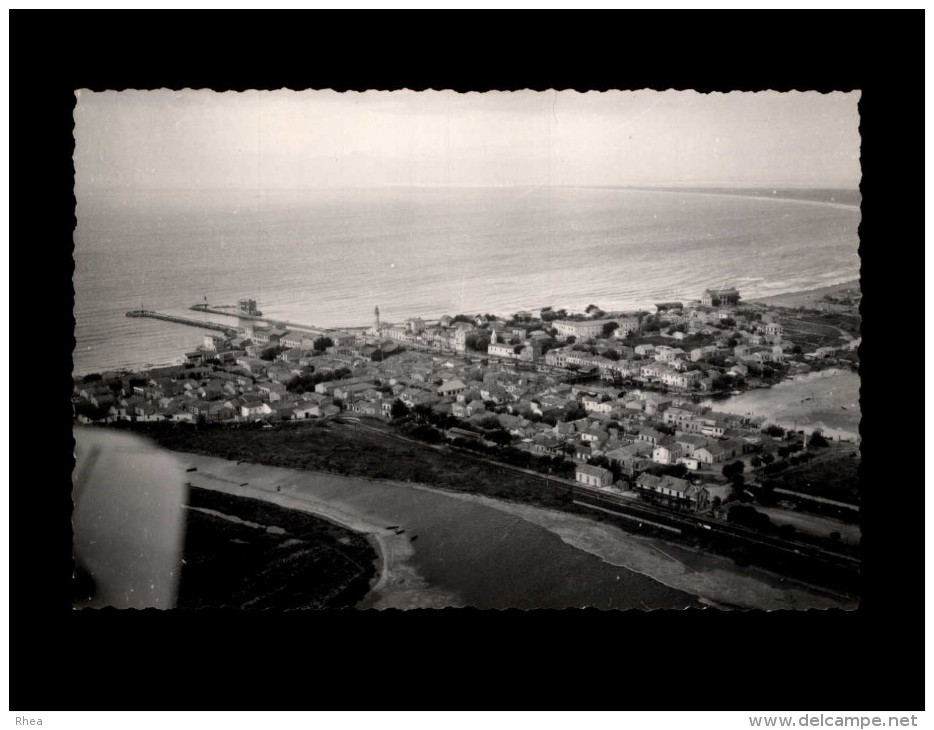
(328, 257)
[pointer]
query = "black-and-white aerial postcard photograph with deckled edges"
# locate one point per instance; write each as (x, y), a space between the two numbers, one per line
(427, 349)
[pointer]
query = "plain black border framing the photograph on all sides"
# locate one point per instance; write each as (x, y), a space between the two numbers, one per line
(60, 659)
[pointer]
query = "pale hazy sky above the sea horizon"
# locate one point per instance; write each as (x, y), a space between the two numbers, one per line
(190, 140)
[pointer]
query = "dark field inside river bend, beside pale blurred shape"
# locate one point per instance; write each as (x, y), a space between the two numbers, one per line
(244, 553)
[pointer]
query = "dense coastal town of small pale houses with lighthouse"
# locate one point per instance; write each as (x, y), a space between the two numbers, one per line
(608, 400)
